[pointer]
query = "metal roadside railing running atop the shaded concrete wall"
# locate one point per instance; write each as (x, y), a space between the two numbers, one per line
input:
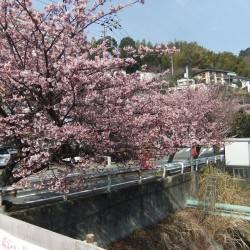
(105, 181)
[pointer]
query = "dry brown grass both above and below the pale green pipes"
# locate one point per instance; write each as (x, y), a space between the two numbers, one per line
(194, 228)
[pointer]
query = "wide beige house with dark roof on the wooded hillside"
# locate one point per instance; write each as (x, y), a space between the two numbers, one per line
(214, 76)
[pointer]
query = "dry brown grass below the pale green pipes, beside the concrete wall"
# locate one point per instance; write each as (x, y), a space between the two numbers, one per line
(189, 228)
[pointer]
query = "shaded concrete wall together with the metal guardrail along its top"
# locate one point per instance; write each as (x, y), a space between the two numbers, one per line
(115, 202)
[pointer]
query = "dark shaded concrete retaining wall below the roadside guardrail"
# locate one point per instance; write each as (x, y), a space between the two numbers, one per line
(114, 215)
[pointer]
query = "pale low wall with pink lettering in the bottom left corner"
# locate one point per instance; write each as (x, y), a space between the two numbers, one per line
(16, 234)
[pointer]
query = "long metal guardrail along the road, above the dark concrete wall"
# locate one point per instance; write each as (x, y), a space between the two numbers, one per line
(104, 181)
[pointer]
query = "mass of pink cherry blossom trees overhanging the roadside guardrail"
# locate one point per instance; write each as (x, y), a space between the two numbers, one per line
(62, 97)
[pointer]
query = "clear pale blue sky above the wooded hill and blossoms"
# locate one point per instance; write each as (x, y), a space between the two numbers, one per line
(217, 25)
